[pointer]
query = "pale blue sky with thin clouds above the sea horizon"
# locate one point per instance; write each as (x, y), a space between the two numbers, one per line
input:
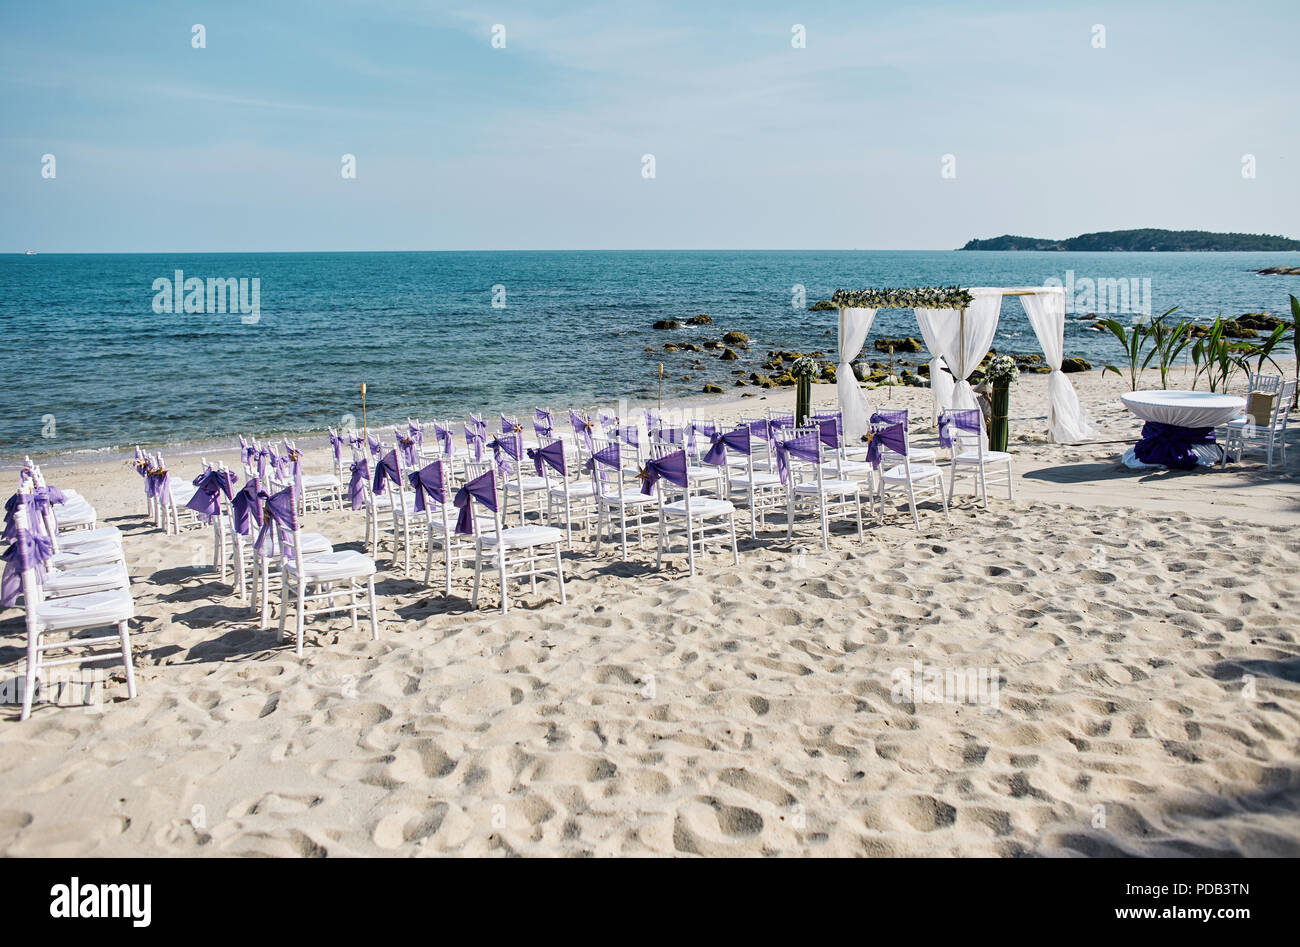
(759, 145)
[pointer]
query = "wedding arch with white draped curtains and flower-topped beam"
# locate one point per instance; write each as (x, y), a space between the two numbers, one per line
(959, 327)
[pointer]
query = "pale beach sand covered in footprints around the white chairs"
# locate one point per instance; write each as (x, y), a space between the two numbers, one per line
(1142, 629)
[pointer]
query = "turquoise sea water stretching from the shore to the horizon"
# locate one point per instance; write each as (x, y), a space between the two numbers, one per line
(90, 366)
